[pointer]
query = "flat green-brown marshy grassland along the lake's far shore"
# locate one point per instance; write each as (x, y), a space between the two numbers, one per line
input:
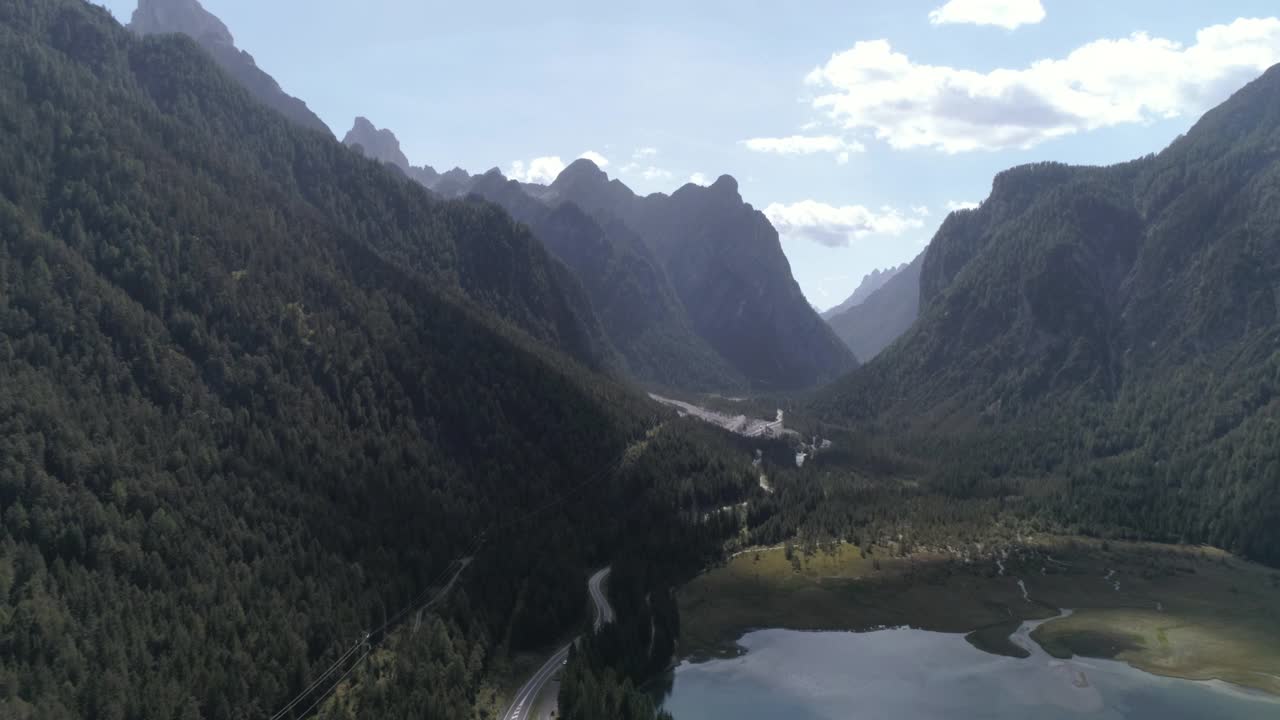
(1186, 614)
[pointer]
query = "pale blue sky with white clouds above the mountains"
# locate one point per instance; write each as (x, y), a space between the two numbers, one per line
(854, 125)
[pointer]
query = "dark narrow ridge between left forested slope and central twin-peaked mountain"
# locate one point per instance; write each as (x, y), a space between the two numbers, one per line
(630, 293)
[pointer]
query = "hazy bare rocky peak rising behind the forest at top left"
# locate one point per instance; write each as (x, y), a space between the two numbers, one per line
(190, 19)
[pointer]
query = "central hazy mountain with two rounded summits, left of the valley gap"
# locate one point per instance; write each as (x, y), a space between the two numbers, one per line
(728, 267)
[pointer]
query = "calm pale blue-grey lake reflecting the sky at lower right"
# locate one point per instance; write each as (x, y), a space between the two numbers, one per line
(907, 675)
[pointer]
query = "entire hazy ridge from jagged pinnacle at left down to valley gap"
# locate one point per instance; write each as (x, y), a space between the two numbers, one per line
(698, 289)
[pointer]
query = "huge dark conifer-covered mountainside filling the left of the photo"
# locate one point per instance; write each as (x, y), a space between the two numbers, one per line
(260, 394)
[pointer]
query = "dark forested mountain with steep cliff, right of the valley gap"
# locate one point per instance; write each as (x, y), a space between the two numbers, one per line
(1114, 331)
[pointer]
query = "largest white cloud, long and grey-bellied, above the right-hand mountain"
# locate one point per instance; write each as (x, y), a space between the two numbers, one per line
(1105, 84)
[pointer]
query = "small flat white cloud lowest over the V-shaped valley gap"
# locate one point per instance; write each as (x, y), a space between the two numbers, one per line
(838, 226)
